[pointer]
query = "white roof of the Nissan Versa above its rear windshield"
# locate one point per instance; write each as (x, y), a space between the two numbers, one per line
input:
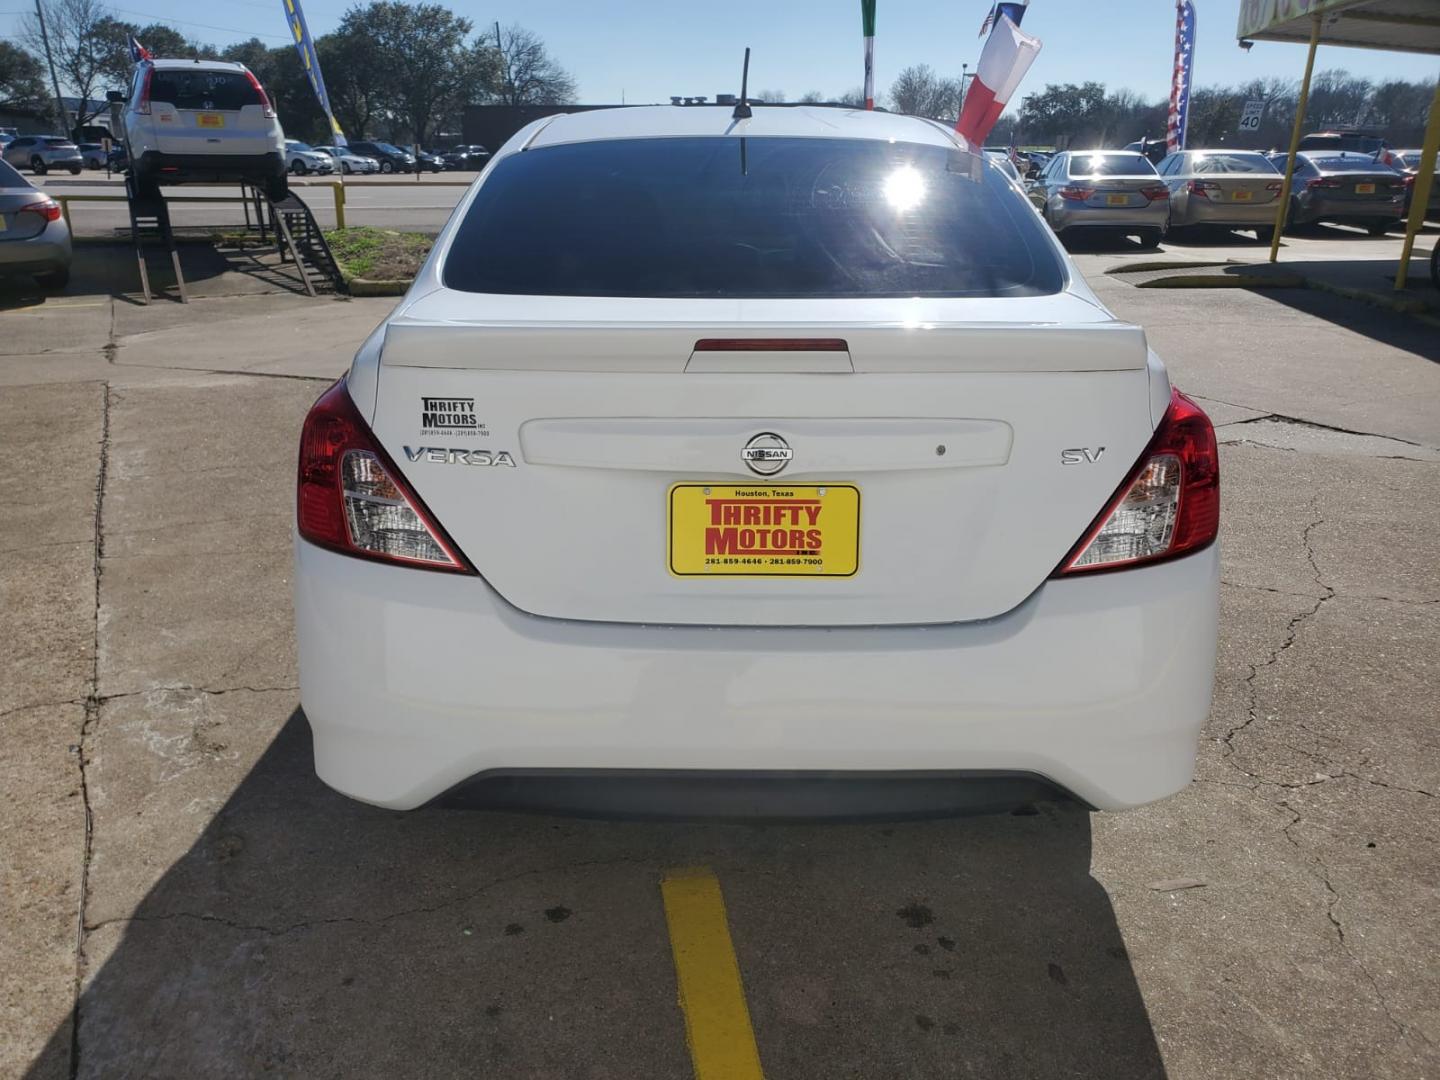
(660, 122)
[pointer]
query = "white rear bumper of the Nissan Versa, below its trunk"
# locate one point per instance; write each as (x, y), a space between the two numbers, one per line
(417, 682)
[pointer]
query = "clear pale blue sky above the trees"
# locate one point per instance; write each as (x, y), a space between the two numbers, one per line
(649, 50)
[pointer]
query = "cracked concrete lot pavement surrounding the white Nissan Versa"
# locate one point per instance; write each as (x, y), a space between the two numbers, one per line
(169, 855)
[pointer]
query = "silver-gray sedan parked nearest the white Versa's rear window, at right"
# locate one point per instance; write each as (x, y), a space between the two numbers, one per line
(1104, 189)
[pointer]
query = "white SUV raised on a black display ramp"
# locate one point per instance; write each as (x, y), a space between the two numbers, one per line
(202, 120)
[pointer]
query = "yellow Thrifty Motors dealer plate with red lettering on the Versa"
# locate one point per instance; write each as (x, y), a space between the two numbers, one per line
(762, 532)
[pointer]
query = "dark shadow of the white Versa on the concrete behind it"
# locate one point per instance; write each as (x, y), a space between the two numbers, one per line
(309, 935)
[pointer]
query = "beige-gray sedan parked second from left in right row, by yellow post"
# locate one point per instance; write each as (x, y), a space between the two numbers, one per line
(1229, 189)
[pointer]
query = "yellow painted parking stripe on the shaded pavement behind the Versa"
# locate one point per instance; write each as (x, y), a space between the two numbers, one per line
(712, 997)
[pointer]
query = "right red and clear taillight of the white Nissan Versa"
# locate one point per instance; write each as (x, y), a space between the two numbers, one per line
(1167, 508)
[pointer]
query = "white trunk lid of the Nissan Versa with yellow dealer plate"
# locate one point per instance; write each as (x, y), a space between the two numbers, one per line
(571, 459)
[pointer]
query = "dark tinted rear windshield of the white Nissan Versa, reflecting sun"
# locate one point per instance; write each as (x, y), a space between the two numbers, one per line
(751, 218)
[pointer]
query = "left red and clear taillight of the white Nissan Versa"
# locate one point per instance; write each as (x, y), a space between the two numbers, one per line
(352, 499)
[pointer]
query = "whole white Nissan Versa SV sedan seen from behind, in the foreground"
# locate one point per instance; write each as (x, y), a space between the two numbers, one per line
(777, 466)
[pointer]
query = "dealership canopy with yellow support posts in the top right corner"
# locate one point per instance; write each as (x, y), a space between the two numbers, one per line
(1396, 25)
